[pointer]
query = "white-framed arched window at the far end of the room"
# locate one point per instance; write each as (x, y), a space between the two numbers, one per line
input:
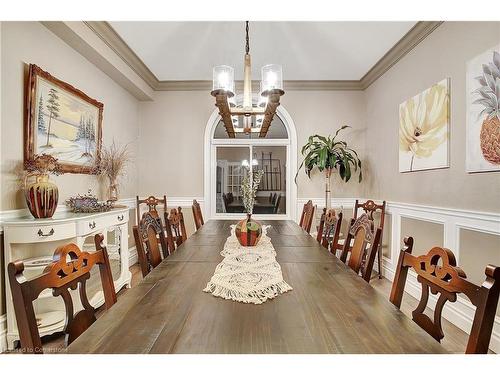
(226, 159)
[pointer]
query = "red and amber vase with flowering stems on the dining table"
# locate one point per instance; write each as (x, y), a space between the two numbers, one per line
(249, 231)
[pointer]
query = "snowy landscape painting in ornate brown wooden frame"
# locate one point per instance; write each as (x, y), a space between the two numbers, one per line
(62, 122)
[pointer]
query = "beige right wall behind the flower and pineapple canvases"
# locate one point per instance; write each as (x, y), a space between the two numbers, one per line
(443, 54)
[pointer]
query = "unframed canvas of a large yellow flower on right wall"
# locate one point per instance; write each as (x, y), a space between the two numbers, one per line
(424, 122)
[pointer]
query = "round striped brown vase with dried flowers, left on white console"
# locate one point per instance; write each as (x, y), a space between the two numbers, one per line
(41, 194)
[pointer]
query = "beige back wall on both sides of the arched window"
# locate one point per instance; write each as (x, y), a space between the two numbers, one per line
(173, 127)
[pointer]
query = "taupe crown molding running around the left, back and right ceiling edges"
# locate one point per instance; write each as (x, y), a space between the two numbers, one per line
(409, 41)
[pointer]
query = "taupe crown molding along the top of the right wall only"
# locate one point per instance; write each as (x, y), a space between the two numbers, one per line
(409, 41)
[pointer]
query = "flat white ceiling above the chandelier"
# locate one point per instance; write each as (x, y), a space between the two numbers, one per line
(181, 51)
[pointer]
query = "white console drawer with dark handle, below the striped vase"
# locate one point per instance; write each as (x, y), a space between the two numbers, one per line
(41, 233)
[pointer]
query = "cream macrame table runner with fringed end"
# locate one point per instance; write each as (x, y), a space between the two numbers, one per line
(248, 274)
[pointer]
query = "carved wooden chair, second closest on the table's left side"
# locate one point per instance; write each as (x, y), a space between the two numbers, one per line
(149, 237)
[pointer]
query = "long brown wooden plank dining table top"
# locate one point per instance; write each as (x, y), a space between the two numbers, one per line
(329, 310)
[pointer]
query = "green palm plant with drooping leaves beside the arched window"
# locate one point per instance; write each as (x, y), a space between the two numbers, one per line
(328, 154)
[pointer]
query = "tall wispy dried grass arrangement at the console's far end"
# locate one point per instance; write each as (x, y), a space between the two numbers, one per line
(111, 164)
